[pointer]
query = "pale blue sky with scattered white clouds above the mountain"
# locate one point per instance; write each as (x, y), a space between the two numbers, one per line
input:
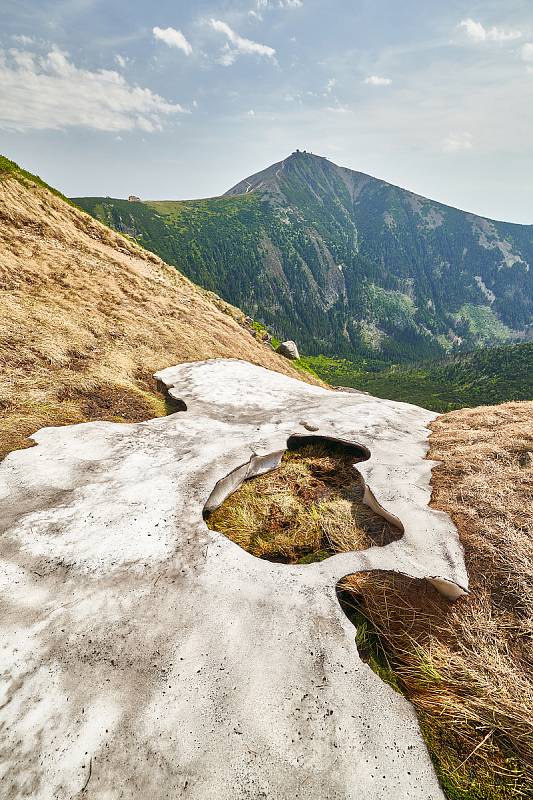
(171, 99)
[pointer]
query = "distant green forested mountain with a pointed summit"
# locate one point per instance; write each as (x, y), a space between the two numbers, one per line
(343, 262)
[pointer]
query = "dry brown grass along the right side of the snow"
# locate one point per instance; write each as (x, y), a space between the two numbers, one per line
(468, 668)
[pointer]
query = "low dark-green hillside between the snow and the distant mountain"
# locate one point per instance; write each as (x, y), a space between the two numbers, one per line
(484, 377)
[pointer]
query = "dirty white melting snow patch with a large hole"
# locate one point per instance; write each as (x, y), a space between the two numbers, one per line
(145, 656)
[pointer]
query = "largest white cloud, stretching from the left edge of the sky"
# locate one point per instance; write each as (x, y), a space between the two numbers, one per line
(50, 92)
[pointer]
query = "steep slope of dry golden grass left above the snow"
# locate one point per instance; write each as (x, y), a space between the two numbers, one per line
(86, 317)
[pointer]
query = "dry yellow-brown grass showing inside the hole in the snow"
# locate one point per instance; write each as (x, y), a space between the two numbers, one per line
(309, 508)
